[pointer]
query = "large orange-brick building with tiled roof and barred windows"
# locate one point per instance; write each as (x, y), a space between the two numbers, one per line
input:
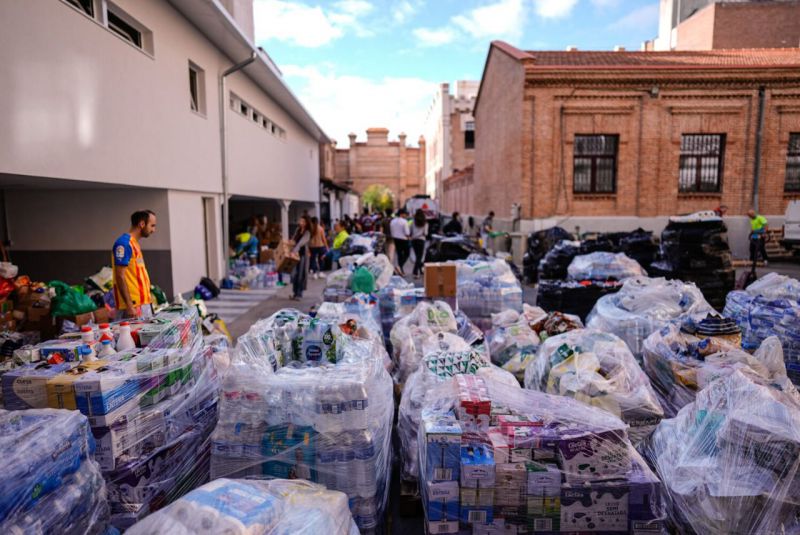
(628, 138)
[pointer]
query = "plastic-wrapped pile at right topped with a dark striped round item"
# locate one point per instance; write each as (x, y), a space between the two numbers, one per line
(680, 364)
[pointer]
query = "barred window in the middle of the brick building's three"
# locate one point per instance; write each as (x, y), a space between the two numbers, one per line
(701, 161)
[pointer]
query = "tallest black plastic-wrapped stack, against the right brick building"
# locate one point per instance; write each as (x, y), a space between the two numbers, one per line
(695, 249)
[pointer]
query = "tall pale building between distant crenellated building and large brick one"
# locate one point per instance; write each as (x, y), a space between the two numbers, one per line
(450, 133)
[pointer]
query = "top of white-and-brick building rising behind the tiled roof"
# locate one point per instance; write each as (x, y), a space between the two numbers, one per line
(715, 24)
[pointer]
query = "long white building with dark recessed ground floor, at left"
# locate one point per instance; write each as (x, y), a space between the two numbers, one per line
(111, 107)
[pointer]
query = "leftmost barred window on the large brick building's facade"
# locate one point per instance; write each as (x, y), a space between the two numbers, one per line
(594, 165)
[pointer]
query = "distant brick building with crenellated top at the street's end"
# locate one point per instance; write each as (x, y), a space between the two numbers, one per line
(379, 161)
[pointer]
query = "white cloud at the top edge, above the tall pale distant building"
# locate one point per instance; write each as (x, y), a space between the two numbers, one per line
(501, 19)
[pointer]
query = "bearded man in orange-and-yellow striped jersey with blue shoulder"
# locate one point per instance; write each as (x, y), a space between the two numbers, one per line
(131, 281)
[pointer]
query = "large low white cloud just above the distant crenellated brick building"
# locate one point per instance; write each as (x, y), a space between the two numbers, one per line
(342, 103)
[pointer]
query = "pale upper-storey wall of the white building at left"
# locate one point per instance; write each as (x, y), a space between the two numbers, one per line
(80, 103)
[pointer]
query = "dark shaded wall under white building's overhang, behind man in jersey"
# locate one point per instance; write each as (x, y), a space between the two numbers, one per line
(68, 234)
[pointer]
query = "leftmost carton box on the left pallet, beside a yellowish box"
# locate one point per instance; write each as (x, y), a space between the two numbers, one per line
(26, 387)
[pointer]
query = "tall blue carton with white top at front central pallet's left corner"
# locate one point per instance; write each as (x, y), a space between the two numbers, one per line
(442, 447)
